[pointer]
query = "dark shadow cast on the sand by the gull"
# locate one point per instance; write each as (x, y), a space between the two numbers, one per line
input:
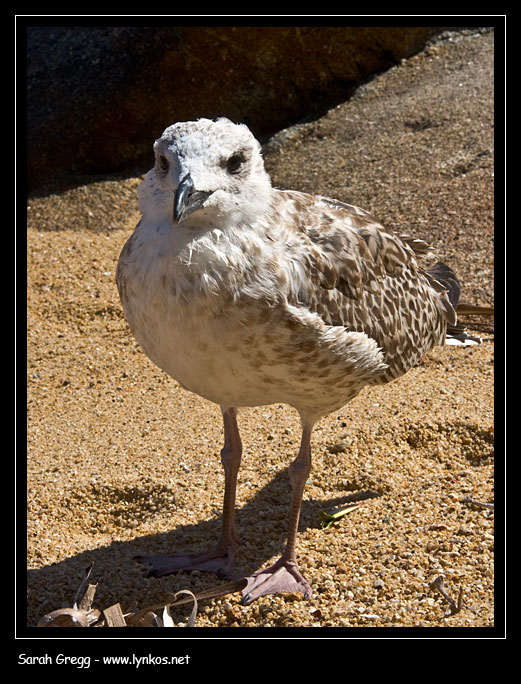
(261, 524)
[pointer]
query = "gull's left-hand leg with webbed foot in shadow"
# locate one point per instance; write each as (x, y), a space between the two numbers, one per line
(222, 556)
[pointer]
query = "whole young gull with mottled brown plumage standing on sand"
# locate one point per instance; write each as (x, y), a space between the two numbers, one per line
(248, 295)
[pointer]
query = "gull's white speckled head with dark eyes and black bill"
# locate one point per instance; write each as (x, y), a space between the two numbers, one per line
(212, 172)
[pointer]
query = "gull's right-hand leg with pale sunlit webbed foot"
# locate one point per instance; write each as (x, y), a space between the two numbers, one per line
(285, 575)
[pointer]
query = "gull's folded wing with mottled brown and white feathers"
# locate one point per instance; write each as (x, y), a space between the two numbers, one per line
(366, 278)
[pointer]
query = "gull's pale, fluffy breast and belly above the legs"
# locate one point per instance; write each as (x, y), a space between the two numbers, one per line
(216, 316)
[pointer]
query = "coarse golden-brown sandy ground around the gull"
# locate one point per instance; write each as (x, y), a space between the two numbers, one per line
(121, 460)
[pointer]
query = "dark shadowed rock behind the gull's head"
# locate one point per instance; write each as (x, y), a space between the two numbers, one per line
(98, 96)
